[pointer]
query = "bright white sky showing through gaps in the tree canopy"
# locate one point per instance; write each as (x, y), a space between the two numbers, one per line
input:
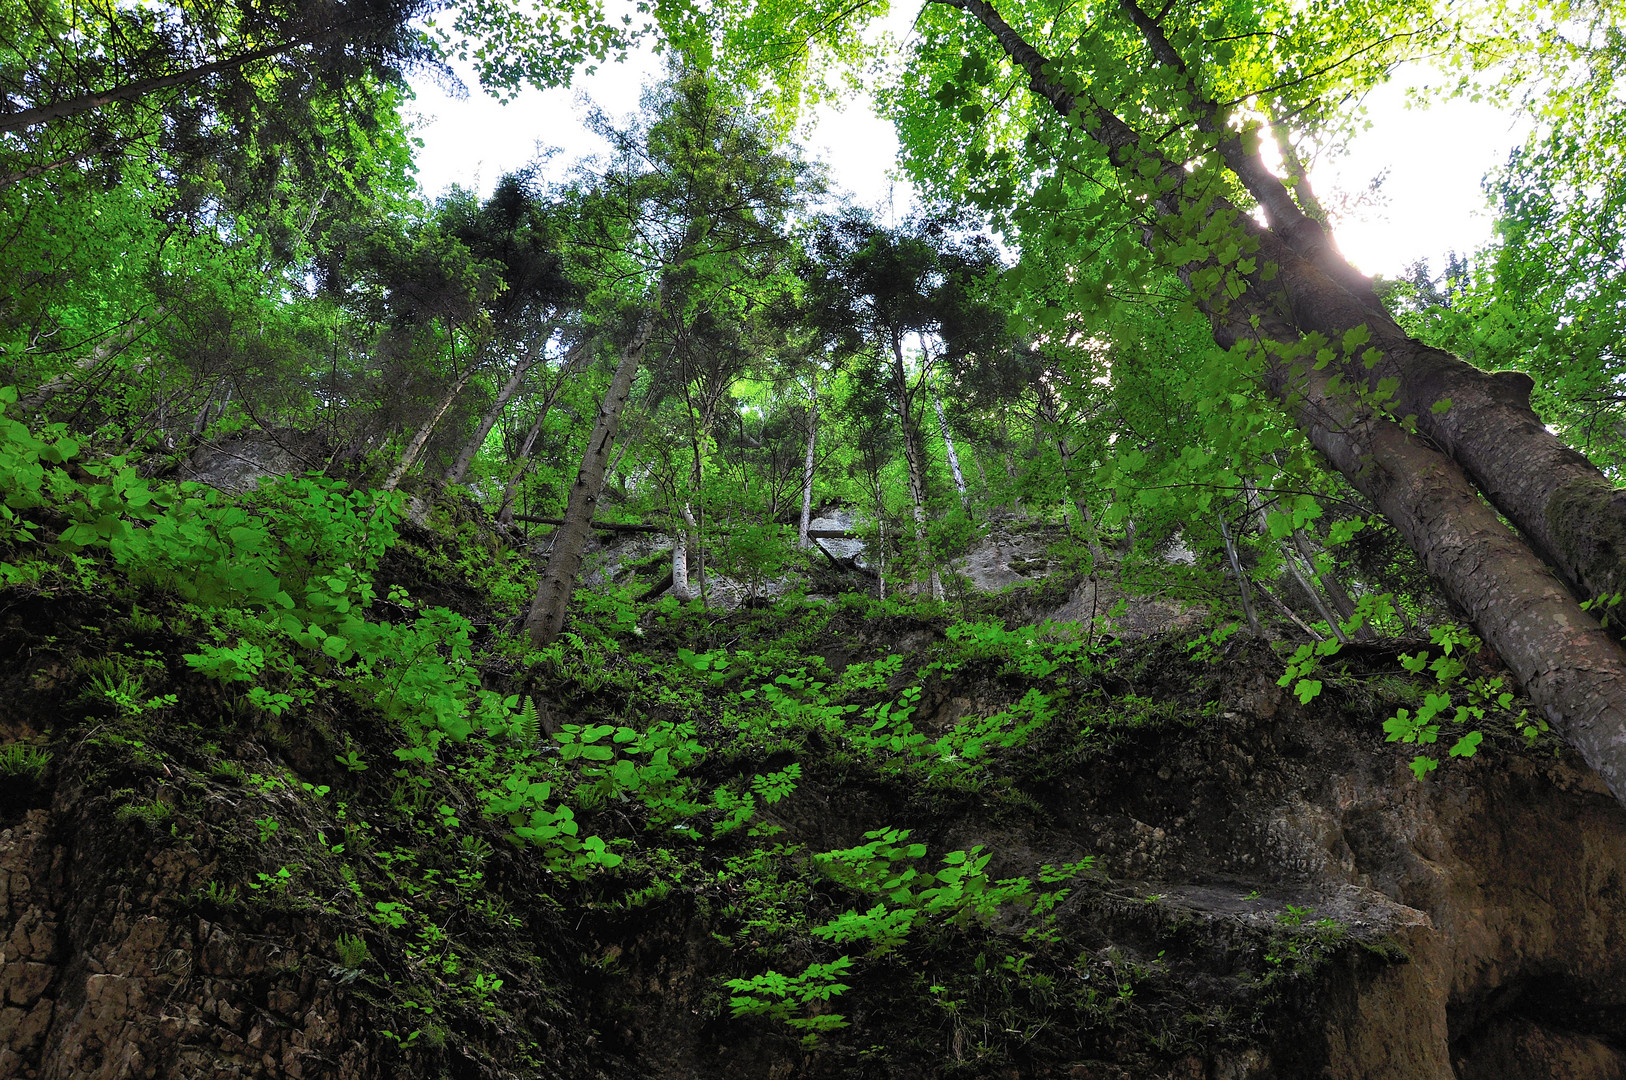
(1432, 201)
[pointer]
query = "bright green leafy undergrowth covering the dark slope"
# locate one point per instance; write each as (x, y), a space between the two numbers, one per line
(671, 838)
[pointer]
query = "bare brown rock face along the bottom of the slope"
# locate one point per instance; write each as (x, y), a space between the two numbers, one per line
(1269, 869)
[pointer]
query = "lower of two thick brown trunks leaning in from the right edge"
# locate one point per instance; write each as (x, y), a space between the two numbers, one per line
(1573, 671)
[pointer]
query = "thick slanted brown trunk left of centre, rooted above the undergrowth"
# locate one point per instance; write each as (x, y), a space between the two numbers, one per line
(570, 541)
